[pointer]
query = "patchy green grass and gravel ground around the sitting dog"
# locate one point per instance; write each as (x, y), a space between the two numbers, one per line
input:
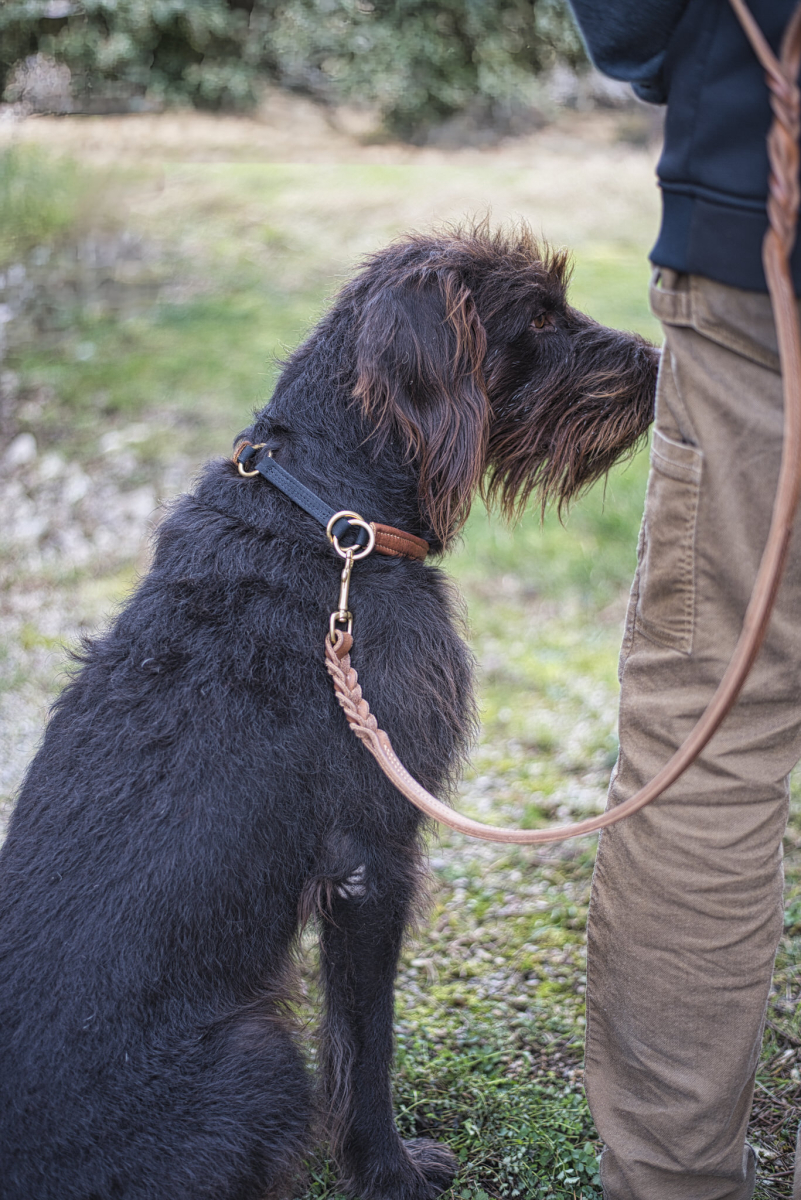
(133, 393)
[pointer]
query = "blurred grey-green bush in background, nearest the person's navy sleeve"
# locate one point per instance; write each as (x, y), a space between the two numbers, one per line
(421, 64)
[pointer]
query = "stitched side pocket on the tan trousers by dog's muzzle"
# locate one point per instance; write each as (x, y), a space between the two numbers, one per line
(666, 601)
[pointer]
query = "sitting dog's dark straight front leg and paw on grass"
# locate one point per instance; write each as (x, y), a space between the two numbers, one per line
(362, 943)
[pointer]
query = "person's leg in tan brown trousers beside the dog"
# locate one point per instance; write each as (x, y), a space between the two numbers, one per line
(686, 907)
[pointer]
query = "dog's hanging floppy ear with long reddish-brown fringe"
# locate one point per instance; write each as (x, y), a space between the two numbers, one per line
(420, 355)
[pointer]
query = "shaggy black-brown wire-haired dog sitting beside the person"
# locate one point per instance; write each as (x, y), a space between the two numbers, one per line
(198, 793)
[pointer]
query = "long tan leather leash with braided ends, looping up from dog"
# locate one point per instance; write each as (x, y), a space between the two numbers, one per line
(782, 211)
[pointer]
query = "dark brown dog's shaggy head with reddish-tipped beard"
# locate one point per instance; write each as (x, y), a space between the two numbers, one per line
(468, 350)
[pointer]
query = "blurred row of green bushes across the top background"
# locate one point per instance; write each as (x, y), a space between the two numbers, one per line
(418, 64)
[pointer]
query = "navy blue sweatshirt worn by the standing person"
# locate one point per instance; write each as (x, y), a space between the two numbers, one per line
(694, 56)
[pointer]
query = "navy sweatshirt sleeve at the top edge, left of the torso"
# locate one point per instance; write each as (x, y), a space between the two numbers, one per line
(629, 39)
